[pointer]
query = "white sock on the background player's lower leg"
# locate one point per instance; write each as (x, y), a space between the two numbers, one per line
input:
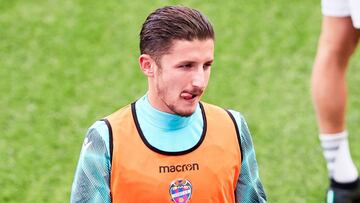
(336, 152)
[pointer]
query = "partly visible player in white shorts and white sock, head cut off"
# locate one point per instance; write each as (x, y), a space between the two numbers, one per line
(339, 37)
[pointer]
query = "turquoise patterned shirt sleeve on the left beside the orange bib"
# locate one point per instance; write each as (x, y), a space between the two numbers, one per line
(92, 176)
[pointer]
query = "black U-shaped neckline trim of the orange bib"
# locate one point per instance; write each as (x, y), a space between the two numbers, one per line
(133, 110)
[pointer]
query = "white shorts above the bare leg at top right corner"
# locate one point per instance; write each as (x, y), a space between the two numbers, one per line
(342, 8)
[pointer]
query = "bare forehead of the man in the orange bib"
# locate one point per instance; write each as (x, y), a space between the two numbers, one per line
(197, 50)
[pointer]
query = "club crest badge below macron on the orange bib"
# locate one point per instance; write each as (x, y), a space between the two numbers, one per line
(180, 190)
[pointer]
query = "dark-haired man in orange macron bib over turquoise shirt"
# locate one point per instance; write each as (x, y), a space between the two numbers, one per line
(168, 146)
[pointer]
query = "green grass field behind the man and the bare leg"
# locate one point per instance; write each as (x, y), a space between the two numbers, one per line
(64, 64)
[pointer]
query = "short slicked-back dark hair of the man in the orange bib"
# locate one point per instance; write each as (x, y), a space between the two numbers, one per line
(170, 23)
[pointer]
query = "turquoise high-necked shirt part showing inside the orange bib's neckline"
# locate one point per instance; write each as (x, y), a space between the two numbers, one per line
(168, 132)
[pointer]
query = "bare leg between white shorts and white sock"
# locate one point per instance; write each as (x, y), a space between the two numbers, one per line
(337, 42)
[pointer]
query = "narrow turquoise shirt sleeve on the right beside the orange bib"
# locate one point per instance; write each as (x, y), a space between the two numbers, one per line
(249, 187)
